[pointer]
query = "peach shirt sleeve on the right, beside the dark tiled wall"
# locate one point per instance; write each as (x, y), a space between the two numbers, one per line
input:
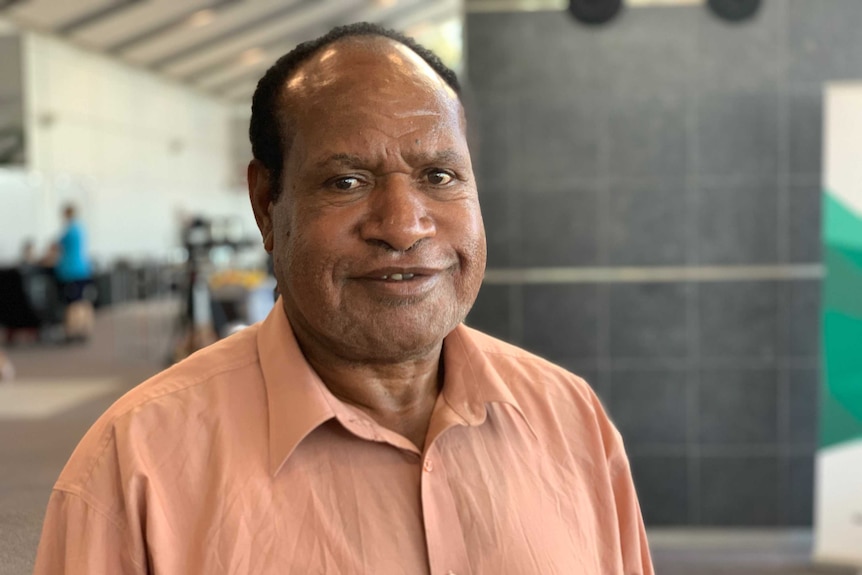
(633, 540)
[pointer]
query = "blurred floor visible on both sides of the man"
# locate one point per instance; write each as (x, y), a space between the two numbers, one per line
(132, 342)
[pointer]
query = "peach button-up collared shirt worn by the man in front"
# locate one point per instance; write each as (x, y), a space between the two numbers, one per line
(240, 460)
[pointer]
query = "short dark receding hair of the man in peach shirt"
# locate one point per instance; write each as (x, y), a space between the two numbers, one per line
(267, 141)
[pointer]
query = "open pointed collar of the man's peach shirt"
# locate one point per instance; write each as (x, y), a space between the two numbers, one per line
(299, 402)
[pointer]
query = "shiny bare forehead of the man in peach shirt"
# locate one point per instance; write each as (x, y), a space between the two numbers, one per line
(367, 79)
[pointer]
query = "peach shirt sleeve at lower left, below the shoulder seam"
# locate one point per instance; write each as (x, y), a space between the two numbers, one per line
(77, 539)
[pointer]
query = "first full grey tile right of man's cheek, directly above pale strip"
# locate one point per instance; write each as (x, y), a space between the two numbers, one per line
(558, 229)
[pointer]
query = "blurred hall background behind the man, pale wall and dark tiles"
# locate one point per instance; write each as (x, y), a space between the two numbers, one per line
(650, 173)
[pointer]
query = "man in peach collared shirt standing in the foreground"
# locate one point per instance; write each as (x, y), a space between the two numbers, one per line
(361, 428)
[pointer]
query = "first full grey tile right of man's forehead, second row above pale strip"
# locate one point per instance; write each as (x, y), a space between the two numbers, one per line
(559, 140)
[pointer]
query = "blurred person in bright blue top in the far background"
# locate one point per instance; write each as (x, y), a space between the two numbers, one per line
(74, 274)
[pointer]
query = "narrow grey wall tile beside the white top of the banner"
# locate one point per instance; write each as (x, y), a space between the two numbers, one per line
(805, 131)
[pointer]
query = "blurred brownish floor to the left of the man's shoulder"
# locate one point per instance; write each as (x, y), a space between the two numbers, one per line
(58, 393)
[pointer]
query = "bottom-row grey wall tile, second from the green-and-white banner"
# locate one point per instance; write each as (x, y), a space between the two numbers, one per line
(739, 491)
